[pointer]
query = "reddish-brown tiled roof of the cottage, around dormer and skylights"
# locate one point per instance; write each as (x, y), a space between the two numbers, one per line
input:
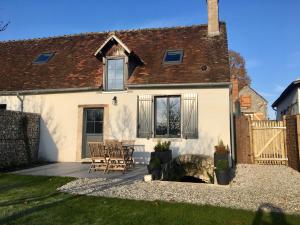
(74, 64)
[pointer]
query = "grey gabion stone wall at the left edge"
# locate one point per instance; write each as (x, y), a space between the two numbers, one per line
(19, 138)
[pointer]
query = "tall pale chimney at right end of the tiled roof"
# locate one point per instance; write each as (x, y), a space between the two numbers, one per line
(213, 17)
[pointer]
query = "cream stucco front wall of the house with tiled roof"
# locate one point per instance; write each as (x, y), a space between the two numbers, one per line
(59, 126)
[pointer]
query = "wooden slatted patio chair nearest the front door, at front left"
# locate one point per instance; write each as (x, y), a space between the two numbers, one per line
(98, 156)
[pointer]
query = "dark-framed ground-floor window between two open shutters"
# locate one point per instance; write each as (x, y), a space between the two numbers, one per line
(167, 116)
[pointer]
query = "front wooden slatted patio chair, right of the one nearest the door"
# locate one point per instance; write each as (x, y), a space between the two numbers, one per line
(116, 157)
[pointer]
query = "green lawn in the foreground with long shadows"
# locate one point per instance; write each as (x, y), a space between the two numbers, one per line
(34, 200)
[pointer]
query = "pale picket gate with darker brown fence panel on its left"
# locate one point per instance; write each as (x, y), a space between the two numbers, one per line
(261, 142)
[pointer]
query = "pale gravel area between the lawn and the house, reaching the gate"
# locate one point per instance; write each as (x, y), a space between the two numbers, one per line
(275, 187)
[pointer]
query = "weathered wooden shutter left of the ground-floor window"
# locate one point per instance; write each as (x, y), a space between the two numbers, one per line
(144, 116)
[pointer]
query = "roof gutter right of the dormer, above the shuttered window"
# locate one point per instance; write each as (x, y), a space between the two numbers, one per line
(220, 84)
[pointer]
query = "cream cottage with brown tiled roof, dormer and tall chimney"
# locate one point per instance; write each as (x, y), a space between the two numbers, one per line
(150, 84)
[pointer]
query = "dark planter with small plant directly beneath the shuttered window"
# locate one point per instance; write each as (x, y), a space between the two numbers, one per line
(162, 151)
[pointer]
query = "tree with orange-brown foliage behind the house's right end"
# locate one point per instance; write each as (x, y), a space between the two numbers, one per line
(238, 69)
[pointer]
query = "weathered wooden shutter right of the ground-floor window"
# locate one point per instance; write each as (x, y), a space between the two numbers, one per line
(189, 116)
